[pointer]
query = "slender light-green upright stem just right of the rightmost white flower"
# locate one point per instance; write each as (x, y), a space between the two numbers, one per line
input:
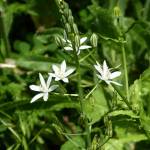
(125, 71)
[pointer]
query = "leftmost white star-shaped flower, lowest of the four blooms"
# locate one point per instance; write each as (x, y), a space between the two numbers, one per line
(44, 88)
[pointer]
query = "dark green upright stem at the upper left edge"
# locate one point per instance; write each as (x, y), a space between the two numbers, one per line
(4, 33)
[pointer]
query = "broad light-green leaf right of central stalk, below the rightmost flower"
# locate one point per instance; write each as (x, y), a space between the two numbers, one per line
(96, 106)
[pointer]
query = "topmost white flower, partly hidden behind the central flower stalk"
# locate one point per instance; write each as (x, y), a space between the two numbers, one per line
(69, 47)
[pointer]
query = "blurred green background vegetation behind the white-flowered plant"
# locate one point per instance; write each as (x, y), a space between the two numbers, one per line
(28, 28)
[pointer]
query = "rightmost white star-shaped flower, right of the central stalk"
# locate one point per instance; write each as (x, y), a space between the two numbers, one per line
(105, 73)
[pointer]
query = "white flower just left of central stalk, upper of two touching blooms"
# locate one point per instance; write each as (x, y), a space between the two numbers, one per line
(60, 73)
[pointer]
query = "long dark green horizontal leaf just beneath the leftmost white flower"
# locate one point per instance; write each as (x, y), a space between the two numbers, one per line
(55, 103)
